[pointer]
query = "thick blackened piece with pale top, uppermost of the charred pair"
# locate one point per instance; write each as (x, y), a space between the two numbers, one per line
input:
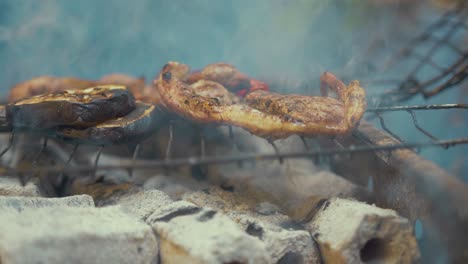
(78, 108)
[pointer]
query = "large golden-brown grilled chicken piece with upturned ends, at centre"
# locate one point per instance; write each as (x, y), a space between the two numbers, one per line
(265, 114)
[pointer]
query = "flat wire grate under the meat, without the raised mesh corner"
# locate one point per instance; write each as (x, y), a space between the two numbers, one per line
(133, 162)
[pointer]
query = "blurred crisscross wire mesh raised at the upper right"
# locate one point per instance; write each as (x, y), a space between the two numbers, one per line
(447, 35)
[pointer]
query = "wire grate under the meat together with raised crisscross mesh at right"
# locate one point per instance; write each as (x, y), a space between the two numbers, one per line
(452, 25)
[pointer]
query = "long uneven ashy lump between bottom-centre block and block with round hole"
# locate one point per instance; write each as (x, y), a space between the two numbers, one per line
(275, 230)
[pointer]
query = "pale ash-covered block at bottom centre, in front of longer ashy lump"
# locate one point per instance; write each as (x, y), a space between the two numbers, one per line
(207, 237)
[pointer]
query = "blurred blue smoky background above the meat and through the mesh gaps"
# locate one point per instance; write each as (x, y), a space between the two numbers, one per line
(290, 41)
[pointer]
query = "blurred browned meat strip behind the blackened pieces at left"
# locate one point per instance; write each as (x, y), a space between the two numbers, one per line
(50, 84)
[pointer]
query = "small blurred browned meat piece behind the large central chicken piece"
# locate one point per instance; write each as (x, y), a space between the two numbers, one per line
(228, 76)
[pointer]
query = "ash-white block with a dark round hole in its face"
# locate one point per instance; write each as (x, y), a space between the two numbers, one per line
(343, 228)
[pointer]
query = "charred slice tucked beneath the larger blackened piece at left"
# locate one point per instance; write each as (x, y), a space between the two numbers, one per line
(135, 126)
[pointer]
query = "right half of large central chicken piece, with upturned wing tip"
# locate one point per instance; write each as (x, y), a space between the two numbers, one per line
(334, 116)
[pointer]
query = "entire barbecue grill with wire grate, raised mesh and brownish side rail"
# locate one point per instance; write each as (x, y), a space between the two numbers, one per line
(374, 156)
